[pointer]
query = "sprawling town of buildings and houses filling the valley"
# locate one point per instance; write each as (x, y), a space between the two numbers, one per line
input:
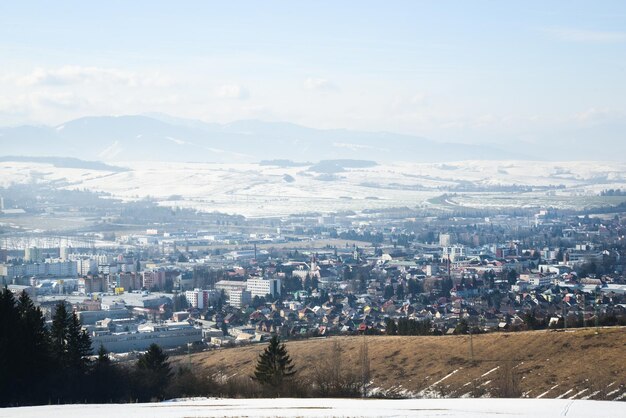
(319, 275)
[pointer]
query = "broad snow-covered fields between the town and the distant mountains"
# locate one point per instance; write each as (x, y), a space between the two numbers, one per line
(258, 190)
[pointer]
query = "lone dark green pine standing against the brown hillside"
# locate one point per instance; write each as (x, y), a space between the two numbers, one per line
(274, 364)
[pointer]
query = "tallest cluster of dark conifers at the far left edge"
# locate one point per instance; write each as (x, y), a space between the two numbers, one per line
(38, 363)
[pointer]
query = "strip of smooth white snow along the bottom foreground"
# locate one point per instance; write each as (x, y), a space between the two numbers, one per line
(466, 408)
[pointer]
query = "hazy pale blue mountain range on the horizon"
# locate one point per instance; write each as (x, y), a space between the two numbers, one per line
(158, 137)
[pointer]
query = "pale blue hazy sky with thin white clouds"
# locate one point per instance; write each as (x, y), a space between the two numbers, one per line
(462, 71)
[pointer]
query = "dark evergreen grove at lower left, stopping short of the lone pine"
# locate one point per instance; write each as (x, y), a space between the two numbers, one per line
(42, 364)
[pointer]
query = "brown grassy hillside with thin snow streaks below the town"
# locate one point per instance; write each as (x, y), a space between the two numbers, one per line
(577, 364)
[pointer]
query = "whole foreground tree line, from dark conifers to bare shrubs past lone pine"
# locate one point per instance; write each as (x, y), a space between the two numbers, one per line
(54, 363)
